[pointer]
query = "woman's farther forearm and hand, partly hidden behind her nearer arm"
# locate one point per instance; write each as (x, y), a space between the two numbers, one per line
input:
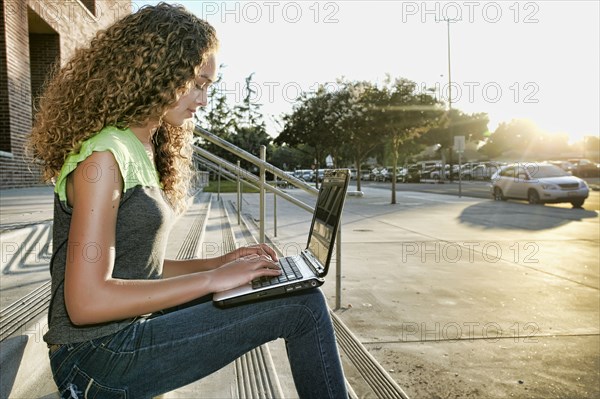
(173, 268)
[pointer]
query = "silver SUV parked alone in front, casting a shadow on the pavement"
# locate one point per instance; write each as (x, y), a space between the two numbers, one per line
(538, 183)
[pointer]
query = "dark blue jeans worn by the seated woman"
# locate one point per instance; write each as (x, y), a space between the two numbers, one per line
(167, 351)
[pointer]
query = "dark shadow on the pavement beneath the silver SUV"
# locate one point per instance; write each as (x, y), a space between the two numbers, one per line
(509, 215)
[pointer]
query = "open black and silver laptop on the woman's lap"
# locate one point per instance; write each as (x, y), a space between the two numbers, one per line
(308, 269)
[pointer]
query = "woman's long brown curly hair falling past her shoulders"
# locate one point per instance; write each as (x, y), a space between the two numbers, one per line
(131, 72)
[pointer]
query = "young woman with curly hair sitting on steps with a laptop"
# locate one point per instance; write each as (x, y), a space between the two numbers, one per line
(113, 132)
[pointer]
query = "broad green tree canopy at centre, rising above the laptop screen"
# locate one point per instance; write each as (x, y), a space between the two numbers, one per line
(358, 119)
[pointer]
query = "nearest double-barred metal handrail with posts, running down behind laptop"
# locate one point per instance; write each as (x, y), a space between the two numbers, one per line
(262, 185)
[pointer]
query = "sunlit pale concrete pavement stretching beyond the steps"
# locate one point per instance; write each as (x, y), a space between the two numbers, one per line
(455, 297)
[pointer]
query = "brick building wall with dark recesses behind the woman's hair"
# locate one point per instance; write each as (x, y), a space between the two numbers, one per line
(34, 34)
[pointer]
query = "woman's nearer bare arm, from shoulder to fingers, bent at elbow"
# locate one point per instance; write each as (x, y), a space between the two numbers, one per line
(92, 295)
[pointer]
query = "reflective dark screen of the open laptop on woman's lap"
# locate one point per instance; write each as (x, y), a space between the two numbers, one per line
(330, 203)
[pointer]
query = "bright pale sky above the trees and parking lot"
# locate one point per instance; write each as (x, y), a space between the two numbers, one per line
(511, 59)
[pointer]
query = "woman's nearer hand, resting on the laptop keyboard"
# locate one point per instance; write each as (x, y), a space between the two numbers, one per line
(242, 271)
